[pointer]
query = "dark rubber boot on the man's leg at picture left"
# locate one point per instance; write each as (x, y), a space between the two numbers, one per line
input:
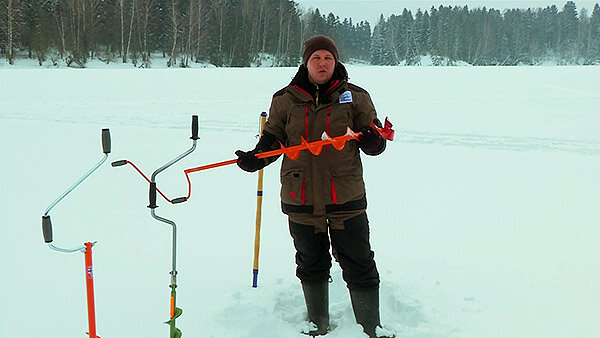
(316, 296)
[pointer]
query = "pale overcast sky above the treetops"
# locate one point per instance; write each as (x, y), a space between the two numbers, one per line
(370, 10)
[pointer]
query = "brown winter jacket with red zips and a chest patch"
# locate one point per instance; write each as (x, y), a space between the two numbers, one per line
(333, 180)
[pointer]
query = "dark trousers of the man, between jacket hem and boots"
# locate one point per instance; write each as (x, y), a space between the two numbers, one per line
(352, 248)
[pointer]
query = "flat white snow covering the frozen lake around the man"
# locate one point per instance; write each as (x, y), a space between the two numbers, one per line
(484, 210)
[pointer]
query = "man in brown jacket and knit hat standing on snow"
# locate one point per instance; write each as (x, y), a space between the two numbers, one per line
(324, 196)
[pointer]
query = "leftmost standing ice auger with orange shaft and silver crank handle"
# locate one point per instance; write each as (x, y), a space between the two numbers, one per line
(87, 247)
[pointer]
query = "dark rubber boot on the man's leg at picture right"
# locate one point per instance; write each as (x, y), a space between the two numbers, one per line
(366, 310)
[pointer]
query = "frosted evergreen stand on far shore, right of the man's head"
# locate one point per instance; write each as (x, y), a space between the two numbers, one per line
(489, 37)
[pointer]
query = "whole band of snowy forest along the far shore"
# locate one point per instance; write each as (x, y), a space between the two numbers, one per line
(242, 33)
